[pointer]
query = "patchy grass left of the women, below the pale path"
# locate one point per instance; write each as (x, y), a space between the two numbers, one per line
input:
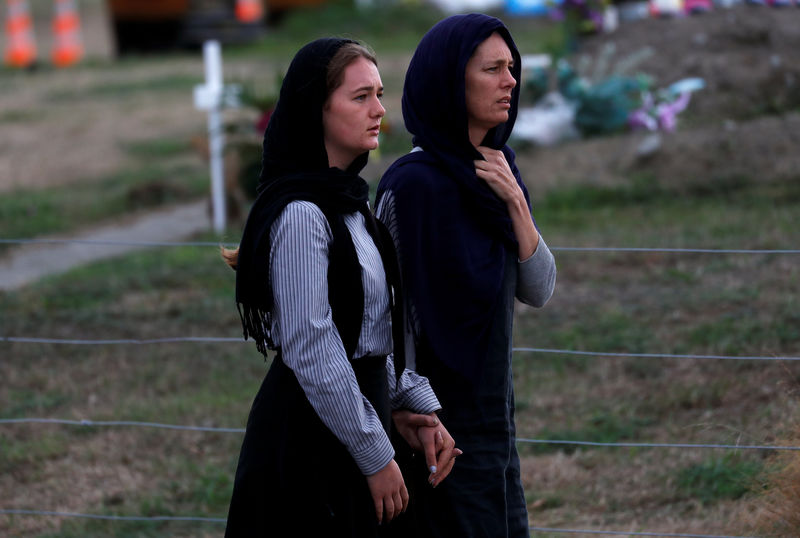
(170, 291)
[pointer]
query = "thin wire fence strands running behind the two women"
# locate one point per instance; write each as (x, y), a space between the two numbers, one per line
(532, 350)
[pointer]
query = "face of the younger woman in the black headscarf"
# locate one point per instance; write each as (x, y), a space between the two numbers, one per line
(351, 118)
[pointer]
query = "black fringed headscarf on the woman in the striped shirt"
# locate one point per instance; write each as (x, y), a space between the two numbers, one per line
(295, 167)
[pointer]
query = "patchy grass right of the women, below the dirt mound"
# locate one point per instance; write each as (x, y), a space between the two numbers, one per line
(740, 305)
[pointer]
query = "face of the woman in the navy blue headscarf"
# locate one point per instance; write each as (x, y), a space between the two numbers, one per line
(489, 83)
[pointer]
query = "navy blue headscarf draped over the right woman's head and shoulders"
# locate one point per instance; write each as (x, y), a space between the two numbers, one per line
(454, 233)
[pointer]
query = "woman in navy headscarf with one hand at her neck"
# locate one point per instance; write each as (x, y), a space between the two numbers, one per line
(460, 215)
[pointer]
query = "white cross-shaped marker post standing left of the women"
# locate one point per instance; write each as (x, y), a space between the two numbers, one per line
(209, 97)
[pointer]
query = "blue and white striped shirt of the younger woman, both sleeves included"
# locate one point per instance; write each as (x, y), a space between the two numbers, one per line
(311, 346)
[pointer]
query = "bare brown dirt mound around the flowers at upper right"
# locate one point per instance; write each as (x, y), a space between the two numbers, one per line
(744, 123)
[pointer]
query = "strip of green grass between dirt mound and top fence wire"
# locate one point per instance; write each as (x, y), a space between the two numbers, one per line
(713, 213)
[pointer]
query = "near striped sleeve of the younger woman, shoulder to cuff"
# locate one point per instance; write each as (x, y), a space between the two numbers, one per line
(311, 346)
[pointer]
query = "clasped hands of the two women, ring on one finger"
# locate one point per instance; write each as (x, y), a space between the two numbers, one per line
(426, 434)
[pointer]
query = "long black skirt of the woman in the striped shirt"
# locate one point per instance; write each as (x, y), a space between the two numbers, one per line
(294, 477)
